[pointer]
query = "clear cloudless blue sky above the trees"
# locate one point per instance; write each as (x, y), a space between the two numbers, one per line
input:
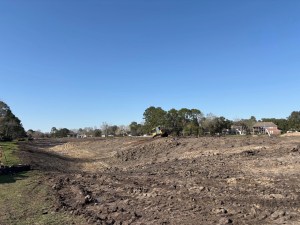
(73, 64)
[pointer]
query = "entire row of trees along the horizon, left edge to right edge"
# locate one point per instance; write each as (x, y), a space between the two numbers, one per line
(178, 122)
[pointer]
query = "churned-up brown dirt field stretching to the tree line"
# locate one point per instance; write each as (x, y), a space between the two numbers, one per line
(221, 180)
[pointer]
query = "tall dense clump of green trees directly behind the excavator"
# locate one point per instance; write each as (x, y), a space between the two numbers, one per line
(182, 122)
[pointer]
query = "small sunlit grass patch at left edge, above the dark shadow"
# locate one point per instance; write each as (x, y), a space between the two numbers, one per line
(9, 153)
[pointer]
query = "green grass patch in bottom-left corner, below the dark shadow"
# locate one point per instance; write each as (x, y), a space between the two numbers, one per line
(27, 201)
